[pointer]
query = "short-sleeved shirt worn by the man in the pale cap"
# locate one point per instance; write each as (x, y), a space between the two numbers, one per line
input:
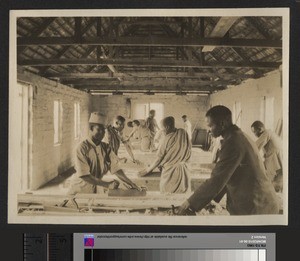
(92, 160)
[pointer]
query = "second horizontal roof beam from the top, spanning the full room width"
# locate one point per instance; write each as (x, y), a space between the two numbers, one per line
(146, 63)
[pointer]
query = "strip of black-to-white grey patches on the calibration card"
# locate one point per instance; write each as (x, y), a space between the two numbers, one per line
(175, 255)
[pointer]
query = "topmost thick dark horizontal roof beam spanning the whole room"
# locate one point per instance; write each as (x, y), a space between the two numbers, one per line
(150, 41)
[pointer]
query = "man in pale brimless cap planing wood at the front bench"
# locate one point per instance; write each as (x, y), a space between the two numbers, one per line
(94, 159)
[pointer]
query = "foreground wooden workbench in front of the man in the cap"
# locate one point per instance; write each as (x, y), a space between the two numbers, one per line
(152, 203)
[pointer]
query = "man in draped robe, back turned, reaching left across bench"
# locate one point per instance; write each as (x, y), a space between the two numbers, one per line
(172, 158)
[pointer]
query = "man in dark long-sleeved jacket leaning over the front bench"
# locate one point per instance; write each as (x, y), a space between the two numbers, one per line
(239, 173)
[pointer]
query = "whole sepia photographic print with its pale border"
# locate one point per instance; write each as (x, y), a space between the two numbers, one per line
(149, 116)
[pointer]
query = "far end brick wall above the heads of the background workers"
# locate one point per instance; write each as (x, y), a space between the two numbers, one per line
(174, 105)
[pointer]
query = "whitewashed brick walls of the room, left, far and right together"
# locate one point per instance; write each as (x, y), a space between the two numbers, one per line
(48, 160)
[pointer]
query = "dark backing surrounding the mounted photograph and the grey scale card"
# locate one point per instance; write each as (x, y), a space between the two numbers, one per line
(287, 236)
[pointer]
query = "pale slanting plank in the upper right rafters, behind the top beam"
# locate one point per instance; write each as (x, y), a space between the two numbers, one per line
(221, 28)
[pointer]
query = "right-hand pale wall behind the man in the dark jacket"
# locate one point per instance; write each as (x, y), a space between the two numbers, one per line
(250, 94)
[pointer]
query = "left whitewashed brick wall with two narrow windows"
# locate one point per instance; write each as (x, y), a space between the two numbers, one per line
(49, 160)
